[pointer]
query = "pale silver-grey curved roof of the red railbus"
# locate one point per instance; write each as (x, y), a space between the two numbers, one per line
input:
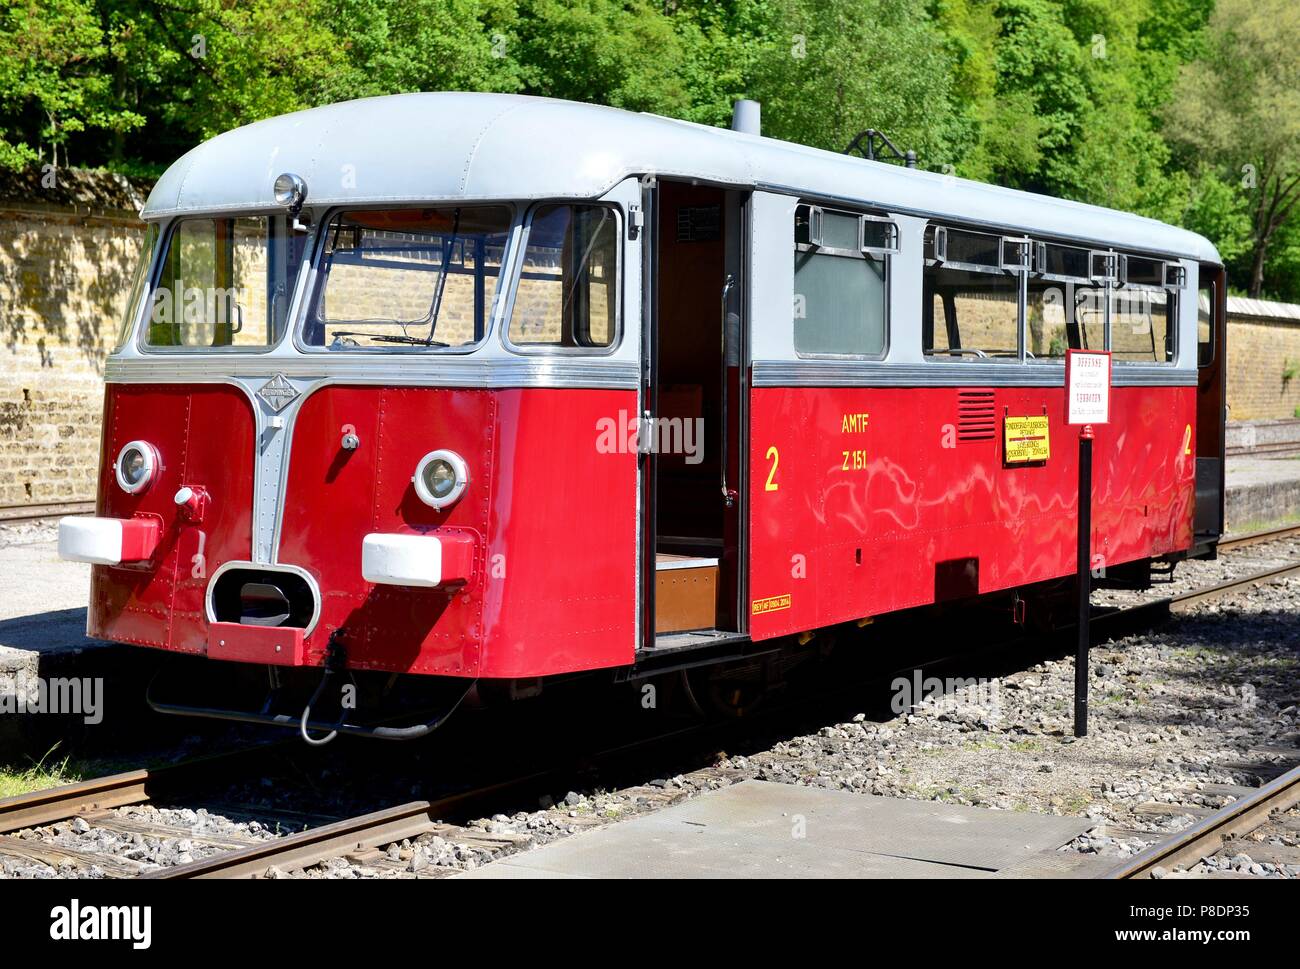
(424, 148)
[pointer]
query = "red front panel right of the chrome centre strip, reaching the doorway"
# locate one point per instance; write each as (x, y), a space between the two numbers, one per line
(553, 587)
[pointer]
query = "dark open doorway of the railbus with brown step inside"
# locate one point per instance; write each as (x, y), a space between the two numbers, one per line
(695, 416)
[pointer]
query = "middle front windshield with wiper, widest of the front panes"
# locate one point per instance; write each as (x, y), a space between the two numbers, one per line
(423, 279)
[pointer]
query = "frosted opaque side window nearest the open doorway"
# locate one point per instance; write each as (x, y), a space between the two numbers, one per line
(840, 282)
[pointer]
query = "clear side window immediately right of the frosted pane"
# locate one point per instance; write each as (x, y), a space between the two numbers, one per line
(972, 299)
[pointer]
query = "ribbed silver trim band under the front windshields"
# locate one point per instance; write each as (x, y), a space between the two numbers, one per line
(471, 374)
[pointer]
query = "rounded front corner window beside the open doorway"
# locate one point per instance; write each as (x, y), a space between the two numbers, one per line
(567, 296)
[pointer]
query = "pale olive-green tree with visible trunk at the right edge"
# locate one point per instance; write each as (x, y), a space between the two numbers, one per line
(1238, 106)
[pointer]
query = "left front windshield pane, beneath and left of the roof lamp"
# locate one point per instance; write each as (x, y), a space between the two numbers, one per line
(226, 284)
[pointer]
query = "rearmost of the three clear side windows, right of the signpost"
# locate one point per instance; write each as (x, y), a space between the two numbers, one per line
(1145, 312)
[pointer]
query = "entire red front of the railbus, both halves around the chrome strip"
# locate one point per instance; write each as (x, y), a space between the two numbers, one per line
(552, 520)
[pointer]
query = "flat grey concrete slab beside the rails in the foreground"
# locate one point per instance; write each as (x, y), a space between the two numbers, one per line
(769, 830)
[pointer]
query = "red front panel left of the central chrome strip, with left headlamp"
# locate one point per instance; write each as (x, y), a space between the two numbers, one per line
(205, 439)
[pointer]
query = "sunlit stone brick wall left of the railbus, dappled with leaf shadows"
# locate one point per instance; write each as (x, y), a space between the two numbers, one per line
(67, 256)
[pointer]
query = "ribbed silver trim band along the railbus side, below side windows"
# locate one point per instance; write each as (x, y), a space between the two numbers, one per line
(903, 375)
